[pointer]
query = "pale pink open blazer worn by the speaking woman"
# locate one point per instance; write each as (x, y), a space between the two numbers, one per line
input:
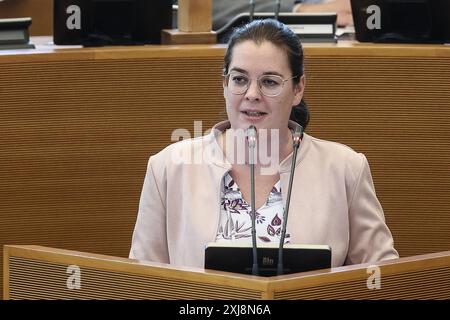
(333, 202)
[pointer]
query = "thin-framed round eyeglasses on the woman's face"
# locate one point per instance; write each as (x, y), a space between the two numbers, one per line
(268, 84)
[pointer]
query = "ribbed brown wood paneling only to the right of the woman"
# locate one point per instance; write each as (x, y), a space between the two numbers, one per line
(396, 110)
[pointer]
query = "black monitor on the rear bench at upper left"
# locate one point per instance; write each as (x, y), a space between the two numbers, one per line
(110, 22)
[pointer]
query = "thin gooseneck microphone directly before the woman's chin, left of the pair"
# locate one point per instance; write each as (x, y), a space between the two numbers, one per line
(251, 139)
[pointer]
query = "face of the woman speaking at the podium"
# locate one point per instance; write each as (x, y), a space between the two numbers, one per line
(252, 107)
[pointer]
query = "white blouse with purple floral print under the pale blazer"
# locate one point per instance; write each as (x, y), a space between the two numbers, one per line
(235, 223)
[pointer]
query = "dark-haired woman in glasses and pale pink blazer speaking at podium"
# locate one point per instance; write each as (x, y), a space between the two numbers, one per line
(198, 191)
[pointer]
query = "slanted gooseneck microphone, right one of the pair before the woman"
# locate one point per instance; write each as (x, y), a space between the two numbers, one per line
(296, 137)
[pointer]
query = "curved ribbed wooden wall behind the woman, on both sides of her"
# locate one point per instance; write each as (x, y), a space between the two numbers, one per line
(77, 128)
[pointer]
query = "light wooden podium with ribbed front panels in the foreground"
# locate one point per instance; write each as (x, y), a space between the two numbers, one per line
(35, 272)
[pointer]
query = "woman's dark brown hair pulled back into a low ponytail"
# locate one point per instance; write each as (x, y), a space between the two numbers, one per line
(281, 36)
